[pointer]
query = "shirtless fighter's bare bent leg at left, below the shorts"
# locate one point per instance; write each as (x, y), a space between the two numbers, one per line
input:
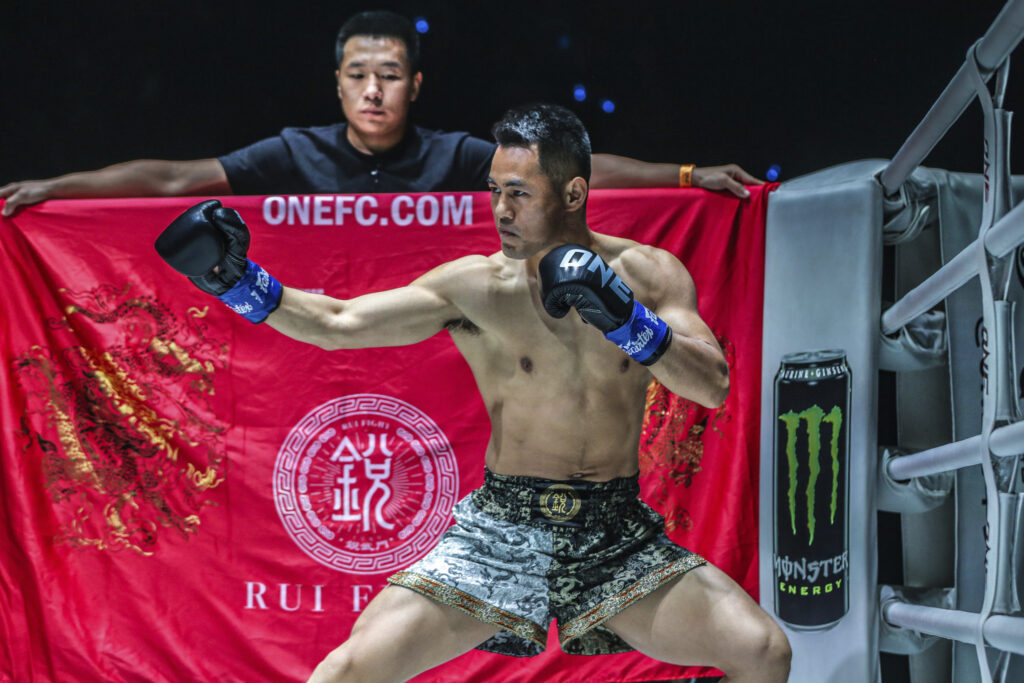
(400, 635)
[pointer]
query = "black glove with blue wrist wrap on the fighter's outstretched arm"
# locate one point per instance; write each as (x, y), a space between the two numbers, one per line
(208, 243)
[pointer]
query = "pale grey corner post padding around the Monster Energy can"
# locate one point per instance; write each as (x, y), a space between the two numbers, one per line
(823, 291)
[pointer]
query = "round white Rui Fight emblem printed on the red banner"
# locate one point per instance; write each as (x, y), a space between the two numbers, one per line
(365, 484)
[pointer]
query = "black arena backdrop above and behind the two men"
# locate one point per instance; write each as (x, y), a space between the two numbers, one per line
(803, 86)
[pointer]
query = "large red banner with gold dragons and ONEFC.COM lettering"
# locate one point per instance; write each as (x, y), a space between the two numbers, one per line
(187, 496)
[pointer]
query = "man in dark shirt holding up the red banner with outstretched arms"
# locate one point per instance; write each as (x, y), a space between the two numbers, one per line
(375, 151)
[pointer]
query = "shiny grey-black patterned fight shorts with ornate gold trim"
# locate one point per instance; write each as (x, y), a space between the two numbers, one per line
(526, 550)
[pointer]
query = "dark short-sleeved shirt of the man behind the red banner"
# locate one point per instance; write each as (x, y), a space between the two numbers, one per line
(321, 160)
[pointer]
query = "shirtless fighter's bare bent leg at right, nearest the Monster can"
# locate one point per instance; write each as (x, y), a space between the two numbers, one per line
(706, 619)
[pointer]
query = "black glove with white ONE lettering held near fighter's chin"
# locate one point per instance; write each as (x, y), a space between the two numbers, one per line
(574, 277)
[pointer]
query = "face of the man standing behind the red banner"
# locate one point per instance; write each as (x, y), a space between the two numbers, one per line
(376, 87)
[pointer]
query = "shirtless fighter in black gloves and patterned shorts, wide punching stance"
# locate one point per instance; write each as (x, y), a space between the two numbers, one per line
(558, 530)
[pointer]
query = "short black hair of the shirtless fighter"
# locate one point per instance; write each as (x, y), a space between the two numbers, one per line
(562, 140)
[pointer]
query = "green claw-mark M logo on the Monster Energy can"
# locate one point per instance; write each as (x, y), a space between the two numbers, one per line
(814, 417)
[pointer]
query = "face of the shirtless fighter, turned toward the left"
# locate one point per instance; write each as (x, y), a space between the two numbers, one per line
(527, 208)
